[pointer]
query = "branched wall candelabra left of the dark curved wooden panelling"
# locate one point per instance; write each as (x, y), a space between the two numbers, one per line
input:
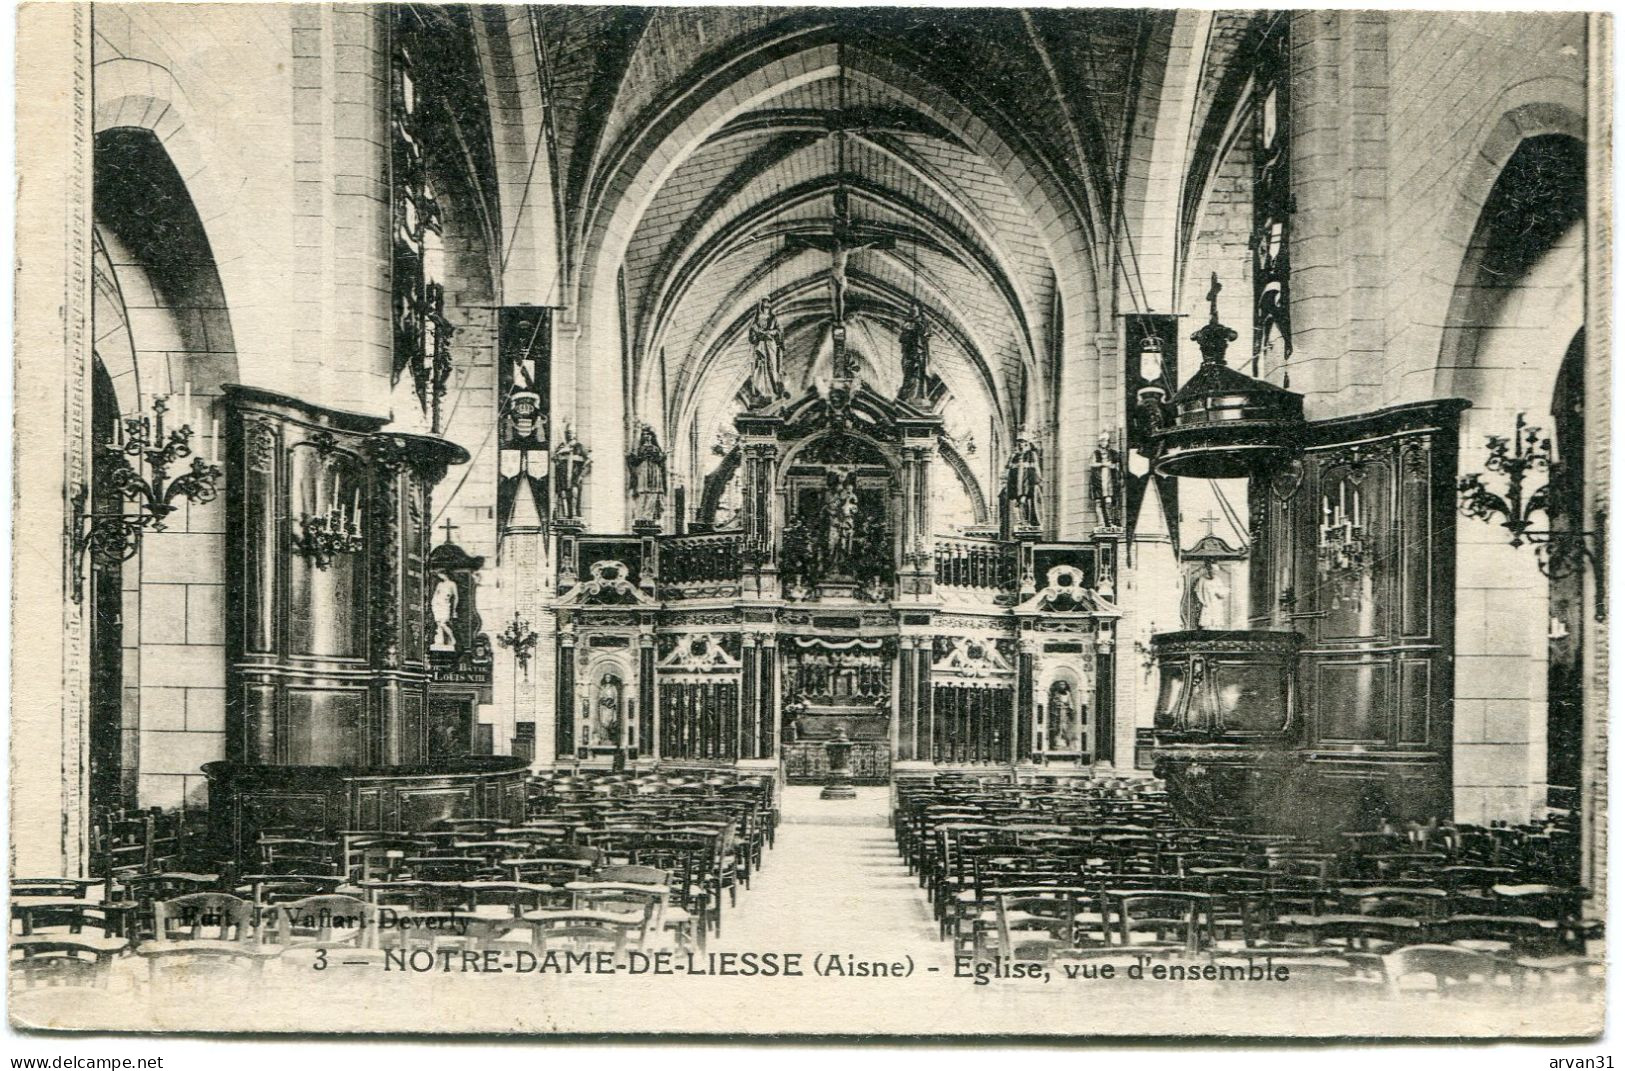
(136, 464)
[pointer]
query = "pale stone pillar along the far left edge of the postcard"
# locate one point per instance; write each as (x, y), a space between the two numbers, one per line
(51, 791)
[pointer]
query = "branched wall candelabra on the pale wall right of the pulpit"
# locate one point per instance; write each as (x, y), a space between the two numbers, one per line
(1561, 552)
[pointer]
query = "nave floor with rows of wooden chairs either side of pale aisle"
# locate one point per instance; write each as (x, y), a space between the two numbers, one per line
(971, 896)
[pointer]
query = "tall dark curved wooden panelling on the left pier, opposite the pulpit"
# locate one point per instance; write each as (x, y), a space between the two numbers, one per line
(326, 644)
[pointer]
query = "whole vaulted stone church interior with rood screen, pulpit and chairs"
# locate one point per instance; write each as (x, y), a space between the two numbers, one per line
(1142, 475)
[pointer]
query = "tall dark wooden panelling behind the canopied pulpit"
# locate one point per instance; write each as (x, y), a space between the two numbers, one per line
(1354, 549)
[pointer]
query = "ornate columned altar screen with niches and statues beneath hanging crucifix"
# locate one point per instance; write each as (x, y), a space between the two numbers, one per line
(830, 604)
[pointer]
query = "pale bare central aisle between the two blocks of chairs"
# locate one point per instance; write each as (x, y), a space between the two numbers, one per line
(834, 880)
